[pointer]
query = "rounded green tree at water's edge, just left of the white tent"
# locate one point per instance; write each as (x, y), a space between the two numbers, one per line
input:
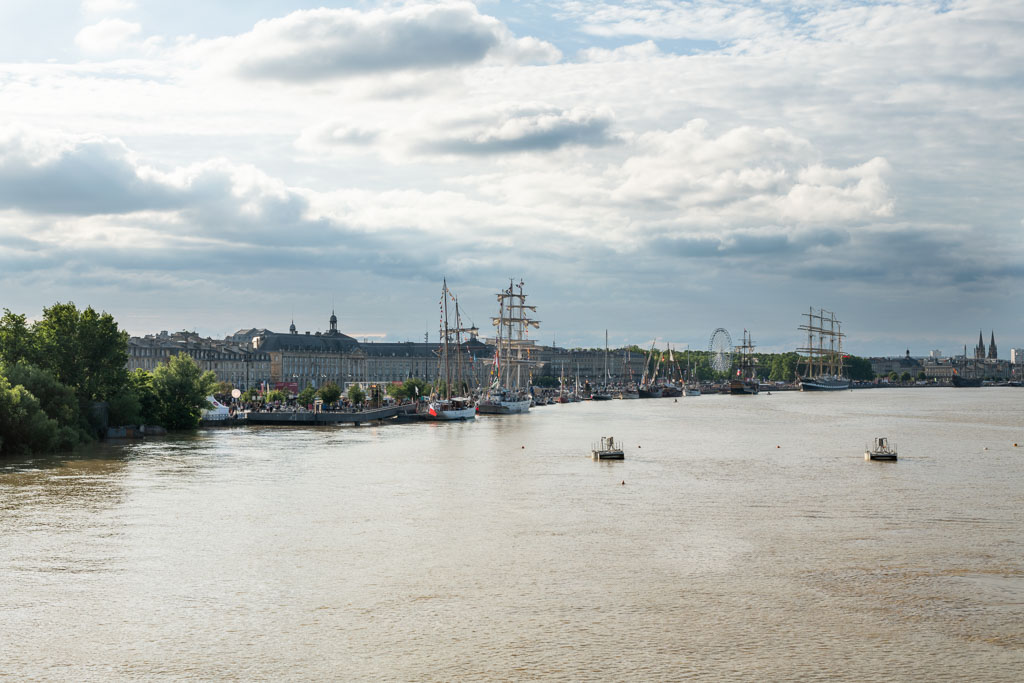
(182, 391)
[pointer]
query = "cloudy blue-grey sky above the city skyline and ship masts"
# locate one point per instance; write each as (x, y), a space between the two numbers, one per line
(656, 169)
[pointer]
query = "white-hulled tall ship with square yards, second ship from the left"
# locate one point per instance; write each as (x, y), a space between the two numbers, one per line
(509, 391)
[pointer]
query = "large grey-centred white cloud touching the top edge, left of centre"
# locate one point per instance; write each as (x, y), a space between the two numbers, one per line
(313, 46)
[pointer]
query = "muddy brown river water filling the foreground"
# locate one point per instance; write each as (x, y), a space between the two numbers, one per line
(751, 541)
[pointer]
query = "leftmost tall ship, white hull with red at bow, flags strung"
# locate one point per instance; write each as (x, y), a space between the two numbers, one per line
(443, 406)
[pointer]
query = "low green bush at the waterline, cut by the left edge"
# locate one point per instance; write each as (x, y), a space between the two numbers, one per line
(25, 428)
